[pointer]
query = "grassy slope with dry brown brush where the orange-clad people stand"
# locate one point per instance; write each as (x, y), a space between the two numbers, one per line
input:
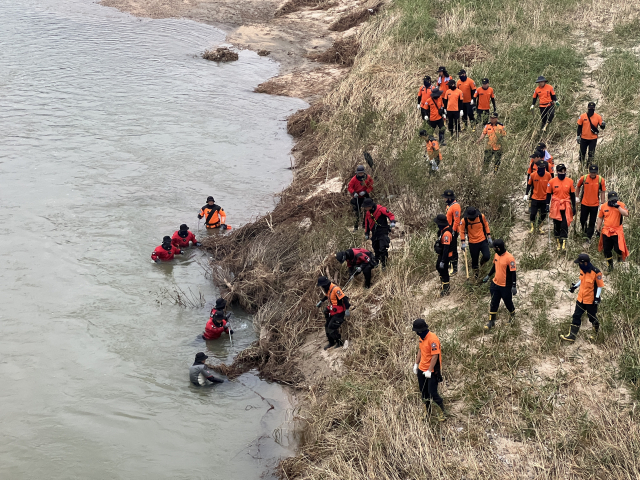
(526, 406)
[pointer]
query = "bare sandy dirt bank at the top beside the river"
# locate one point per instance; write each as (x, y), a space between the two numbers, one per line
(254, 24)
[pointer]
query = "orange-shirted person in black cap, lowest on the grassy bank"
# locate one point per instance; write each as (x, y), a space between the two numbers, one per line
(428, 367)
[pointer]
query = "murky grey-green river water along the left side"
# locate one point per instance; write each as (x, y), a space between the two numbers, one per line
(112, 133)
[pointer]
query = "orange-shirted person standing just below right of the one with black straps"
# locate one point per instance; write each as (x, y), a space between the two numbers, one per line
(503, 286)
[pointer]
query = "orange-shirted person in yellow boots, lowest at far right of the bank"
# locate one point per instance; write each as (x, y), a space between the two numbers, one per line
(590, 284)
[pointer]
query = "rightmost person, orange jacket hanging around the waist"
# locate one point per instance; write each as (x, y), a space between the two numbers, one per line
(611, 233)
